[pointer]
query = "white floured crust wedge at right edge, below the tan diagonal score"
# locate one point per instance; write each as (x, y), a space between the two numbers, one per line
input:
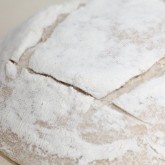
(147, 102)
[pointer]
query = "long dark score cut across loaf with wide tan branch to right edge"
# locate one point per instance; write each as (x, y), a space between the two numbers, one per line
(156, 70)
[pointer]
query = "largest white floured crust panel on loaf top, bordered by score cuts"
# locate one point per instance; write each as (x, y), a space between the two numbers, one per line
(100, 47)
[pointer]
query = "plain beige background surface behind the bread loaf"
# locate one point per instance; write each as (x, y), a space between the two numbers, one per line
(12, 14)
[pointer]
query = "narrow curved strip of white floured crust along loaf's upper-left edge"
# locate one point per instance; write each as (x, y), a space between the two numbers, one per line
(30, 33)
